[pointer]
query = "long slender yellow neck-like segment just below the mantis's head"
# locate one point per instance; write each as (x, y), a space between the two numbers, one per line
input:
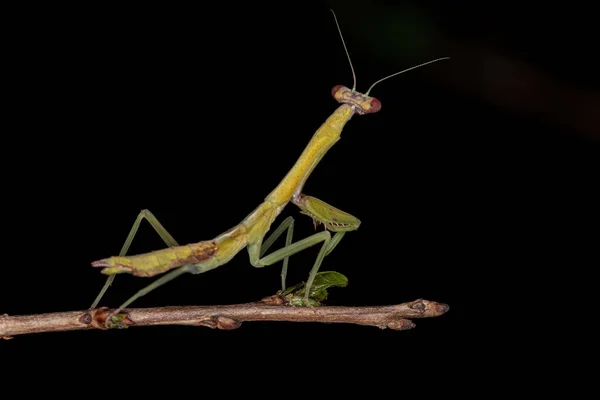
(321, 142)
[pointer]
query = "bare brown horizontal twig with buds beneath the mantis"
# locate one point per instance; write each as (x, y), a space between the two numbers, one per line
(224, 317)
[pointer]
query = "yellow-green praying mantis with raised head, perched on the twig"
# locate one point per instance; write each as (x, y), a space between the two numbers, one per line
(203, 256)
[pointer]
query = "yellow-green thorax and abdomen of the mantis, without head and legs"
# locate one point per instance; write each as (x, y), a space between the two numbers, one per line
(207, 255)
